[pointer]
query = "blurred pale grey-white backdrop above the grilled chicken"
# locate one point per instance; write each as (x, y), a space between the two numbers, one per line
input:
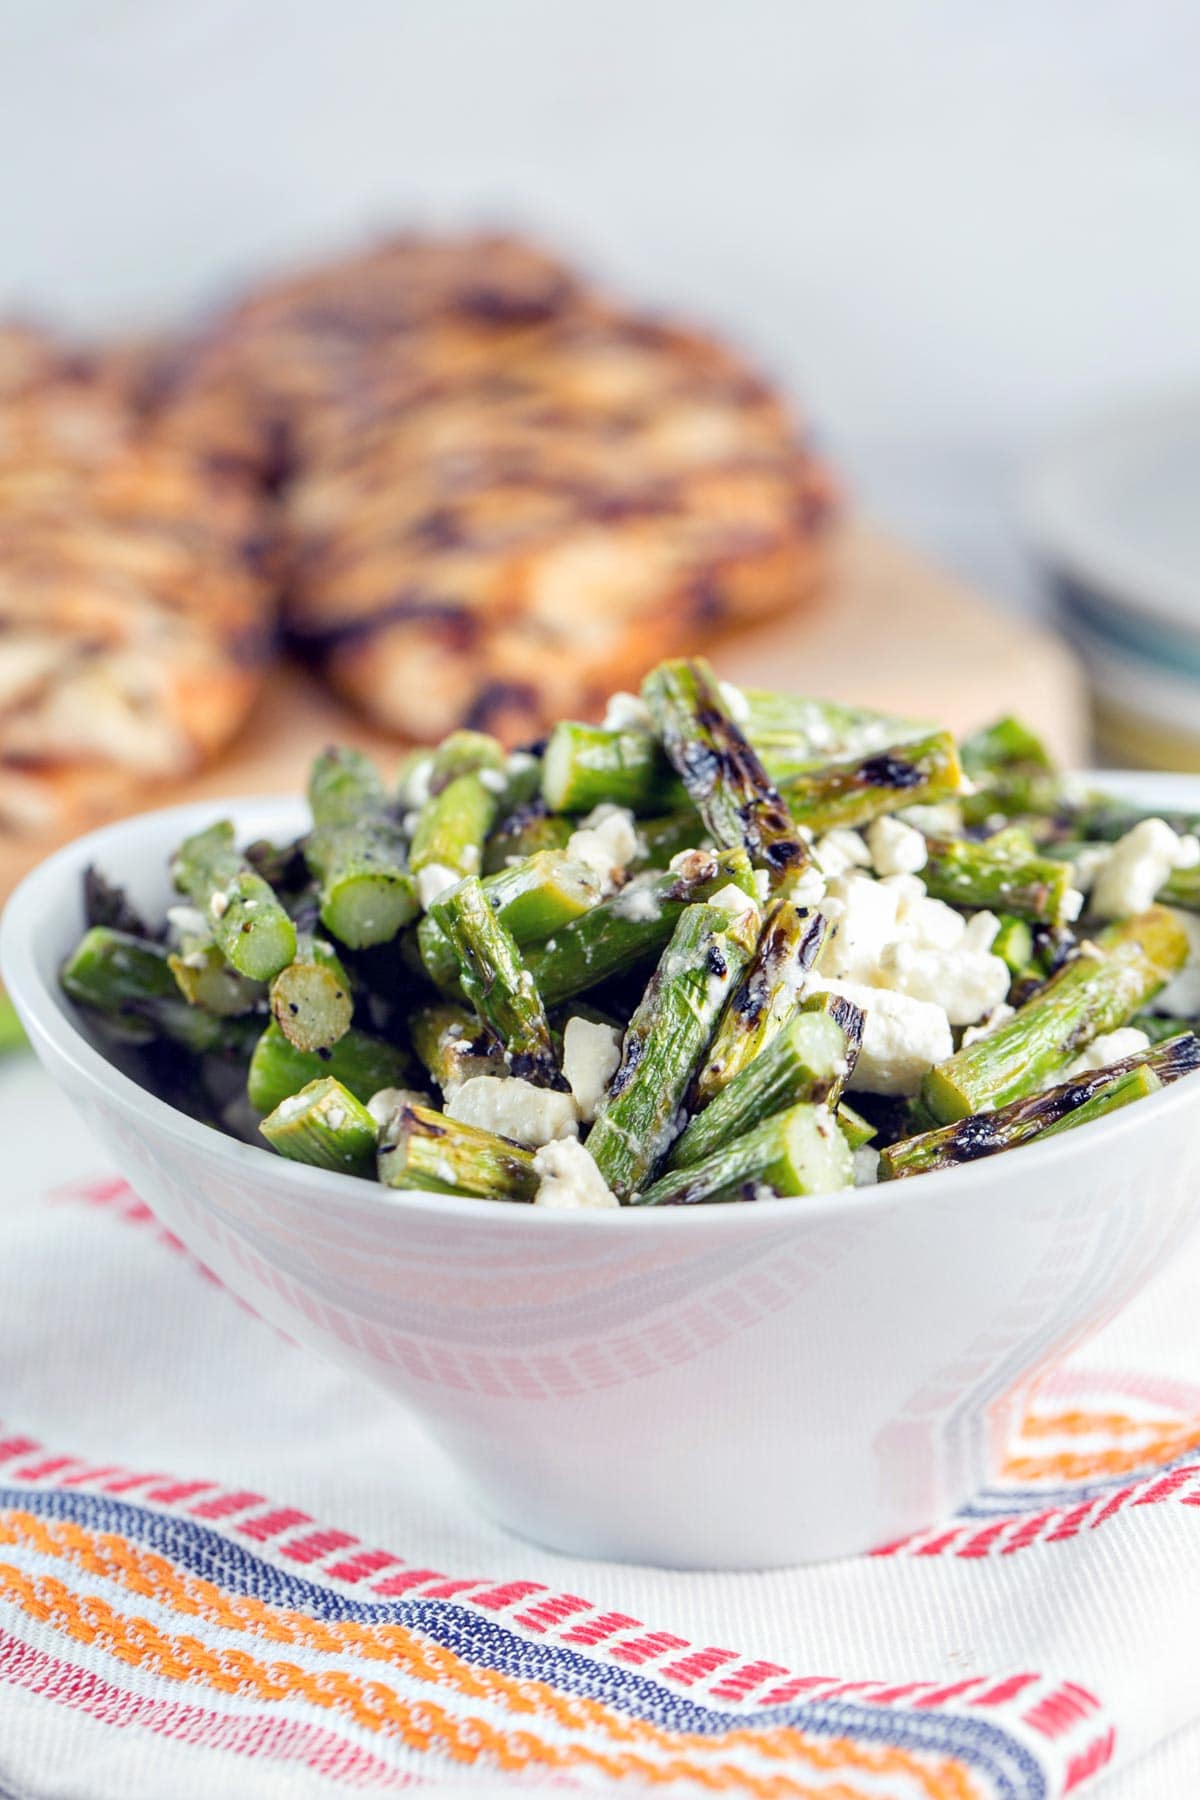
(947, 226)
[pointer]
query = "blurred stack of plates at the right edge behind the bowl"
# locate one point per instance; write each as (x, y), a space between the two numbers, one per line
(1115, 516)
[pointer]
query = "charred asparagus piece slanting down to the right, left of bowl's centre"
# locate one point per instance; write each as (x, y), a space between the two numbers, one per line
(497, 984)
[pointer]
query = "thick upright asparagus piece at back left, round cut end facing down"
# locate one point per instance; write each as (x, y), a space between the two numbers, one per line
(357, 852)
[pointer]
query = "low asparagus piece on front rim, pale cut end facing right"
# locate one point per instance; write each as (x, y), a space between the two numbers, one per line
(800, 1151)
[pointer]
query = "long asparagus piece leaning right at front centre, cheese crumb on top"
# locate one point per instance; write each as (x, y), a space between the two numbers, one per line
(667, 1039)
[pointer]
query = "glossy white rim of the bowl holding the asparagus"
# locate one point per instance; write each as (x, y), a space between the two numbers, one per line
(48, 1016)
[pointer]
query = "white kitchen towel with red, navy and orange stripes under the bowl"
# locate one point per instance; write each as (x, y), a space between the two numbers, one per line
(229, 1570)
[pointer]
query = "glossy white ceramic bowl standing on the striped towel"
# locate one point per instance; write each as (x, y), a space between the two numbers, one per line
(726, 1387)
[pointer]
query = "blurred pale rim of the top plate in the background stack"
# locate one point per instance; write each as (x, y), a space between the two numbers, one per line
(1071, 535)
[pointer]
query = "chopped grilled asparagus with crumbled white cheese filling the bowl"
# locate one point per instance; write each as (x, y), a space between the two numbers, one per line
(728, 946)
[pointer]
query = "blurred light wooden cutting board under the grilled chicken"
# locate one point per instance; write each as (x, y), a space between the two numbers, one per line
(891, 633)
